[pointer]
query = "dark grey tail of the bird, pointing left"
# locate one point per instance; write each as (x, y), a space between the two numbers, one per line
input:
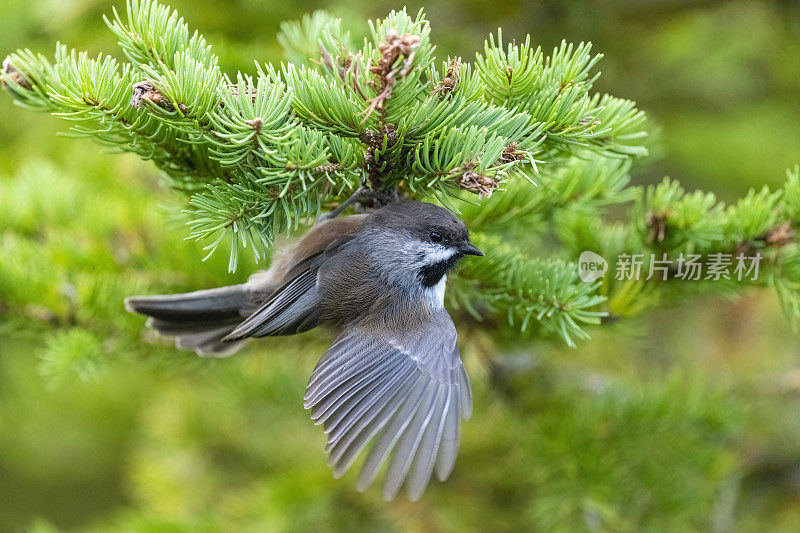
(196, 320)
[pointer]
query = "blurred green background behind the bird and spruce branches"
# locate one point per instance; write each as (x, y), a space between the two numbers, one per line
(686, 419)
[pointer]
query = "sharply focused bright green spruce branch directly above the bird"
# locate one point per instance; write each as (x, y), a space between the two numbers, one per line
(261, 154)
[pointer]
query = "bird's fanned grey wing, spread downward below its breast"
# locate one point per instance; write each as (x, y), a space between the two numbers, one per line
(404, 393)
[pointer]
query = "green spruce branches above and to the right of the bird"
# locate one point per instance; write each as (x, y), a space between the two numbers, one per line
(515, 140)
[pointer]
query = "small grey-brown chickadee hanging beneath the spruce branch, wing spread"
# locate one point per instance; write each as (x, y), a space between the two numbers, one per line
(393, 378)
